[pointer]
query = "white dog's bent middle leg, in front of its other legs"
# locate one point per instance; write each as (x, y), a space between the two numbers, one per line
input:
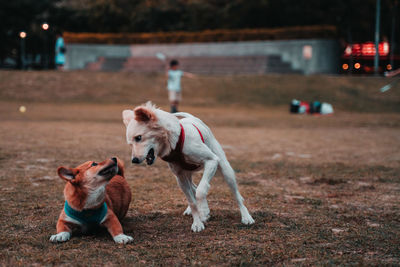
(210, 167)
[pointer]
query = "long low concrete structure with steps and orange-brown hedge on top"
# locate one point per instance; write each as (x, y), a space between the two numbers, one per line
(231, 52)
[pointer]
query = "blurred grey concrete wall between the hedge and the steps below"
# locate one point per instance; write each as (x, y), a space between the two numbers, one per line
(325, 57)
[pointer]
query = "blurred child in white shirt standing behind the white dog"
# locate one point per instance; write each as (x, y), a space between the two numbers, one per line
(174, 84)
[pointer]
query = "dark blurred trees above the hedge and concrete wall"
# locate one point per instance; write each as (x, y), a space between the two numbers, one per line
(354, 19)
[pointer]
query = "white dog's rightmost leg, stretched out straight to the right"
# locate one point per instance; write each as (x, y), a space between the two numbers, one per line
(229, 176)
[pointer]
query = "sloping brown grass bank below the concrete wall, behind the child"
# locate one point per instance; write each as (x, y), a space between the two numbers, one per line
(360, 94)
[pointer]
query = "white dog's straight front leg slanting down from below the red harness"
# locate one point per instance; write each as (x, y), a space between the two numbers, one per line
(184, 181)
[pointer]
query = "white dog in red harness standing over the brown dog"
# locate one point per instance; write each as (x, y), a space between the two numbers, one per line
(187, 145)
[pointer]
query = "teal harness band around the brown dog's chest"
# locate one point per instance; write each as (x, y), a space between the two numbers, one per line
(89, 216)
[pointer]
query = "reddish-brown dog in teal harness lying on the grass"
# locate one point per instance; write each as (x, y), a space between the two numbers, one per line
(95, 193)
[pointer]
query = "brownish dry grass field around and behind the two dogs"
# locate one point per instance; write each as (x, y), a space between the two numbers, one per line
(324, 190)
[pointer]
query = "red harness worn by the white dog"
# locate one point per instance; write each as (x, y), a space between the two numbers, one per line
(176, 156)
